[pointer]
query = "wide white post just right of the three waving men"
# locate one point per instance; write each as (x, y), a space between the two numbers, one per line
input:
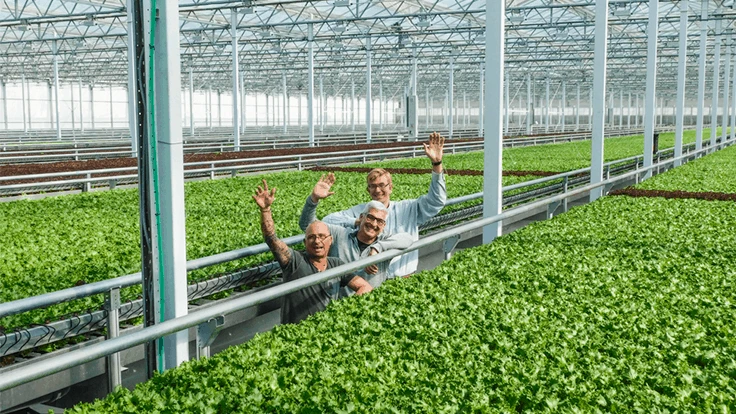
(492, 155)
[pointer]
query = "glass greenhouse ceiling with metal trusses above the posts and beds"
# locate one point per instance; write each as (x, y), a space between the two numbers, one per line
(544, 38)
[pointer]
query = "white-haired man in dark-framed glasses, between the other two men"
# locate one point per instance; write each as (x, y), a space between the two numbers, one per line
(350, 244)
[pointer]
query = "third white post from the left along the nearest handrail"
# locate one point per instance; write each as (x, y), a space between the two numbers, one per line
(599, 96)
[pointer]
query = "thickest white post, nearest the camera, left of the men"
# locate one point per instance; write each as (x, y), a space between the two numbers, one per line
(167, 80)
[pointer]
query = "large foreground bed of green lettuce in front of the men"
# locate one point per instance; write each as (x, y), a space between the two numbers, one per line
(622, 305)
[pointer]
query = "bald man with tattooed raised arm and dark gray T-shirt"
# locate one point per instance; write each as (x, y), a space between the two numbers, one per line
(294, 265)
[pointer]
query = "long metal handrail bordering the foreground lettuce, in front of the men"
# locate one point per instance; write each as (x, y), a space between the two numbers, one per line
(74, 358)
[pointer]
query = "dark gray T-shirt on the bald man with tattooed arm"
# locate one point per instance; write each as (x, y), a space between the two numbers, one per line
(299, 305)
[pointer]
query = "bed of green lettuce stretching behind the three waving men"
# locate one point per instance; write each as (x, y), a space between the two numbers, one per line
(60, 242)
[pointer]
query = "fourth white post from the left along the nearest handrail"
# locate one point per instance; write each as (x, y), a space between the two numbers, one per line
(651, 92)
